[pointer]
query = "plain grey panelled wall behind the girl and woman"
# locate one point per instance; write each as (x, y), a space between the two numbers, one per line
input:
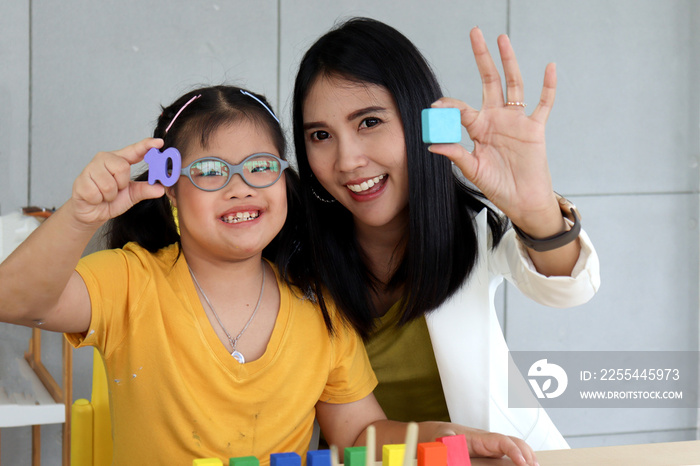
(81, 76)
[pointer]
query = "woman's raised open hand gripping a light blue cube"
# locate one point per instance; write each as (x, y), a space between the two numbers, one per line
(509, 160)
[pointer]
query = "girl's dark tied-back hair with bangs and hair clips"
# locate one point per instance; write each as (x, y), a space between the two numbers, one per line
(151, 224)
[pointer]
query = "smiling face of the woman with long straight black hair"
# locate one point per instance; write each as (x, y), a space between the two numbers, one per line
(355, 144)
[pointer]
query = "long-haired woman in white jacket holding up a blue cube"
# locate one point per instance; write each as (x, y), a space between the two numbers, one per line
(411, 254)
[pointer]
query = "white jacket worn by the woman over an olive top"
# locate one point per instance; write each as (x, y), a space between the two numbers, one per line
(469, 346)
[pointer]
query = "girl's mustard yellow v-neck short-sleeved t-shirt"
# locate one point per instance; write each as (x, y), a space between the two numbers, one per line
(176, 393)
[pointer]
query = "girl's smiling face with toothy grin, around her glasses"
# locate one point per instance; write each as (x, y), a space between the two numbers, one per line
(237, 221)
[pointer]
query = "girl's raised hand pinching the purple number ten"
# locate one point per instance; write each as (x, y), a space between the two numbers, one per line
(105, 190)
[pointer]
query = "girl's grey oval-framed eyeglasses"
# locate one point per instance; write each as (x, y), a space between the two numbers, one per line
(257, 170)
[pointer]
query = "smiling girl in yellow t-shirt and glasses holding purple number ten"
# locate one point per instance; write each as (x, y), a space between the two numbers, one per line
(208, 352)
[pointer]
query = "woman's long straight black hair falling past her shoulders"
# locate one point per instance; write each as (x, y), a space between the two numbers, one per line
(441, 243)
